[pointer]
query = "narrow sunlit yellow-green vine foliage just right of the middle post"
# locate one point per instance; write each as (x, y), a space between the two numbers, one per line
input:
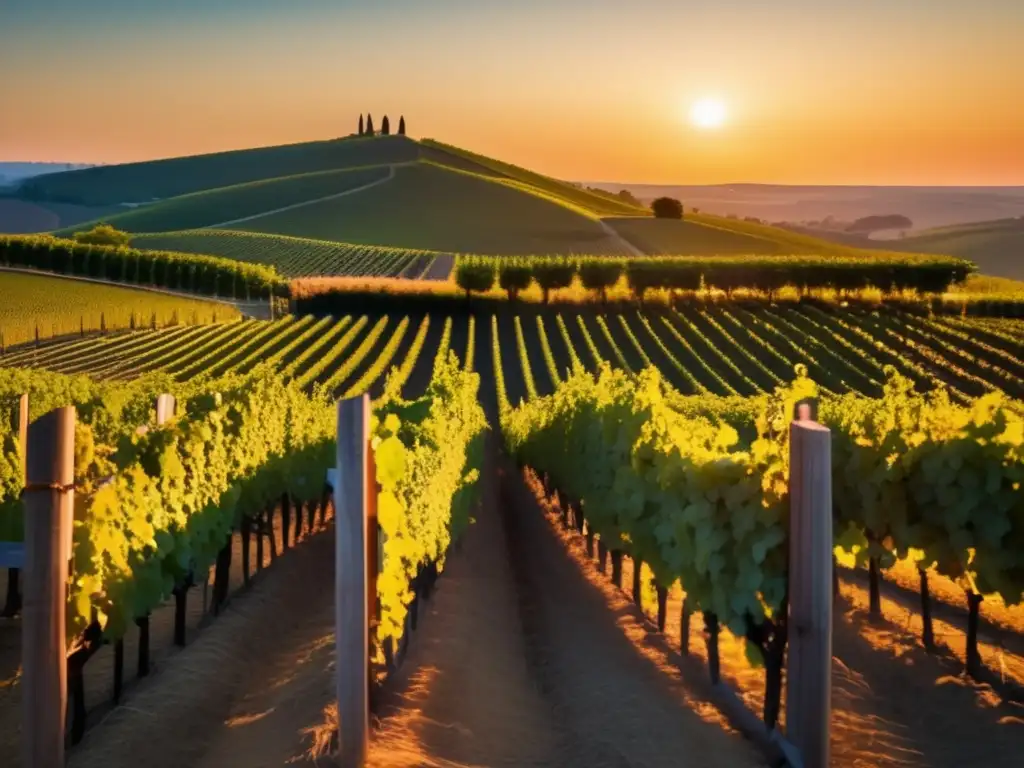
(429, 455)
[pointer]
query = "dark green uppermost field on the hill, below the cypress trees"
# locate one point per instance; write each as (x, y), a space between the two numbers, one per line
(144, 183)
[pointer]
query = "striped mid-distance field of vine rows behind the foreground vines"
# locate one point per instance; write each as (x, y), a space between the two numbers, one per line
(727, 350)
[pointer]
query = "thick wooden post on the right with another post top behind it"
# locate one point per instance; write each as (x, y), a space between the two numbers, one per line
(808, 697)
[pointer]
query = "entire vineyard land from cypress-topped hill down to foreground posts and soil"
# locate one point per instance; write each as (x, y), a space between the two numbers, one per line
(743, 499)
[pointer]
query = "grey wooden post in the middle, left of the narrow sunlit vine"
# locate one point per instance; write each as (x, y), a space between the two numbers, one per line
(353, 503)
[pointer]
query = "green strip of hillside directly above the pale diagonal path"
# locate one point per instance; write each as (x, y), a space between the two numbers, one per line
(229, 203)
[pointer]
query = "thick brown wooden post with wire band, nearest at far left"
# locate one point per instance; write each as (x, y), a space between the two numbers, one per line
(49, 503)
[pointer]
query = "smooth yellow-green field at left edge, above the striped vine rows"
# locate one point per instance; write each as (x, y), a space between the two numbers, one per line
(60, 307)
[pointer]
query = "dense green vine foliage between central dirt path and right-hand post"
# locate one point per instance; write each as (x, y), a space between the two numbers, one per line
(676, 489)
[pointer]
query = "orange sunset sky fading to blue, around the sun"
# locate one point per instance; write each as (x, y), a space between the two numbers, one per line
(818, 93)
